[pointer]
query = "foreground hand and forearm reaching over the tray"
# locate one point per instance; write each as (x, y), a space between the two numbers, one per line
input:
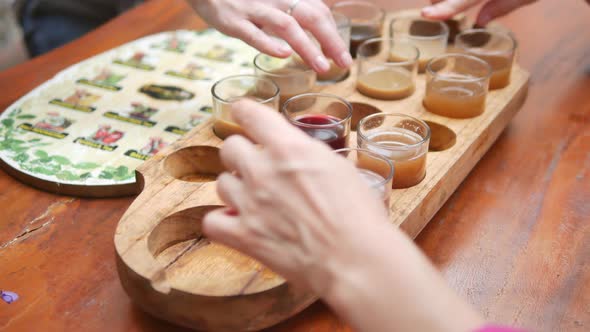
(304, 211)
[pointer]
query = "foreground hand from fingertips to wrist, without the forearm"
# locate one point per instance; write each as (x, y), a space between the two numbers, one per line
(300, 209)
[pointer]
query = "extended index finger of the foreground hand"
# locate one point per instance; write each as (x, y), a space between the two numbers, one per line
(265, 126)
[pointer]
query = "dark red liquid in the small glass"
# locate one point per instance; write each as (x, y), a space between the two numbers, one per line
(336, 135)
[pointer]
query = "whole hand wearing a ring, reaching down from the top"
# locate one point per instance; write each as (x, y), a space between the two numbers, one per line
(253, 21)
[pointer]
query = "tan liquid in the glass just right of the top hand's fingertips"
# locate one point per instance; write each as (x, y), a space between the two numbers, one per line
(385, 83)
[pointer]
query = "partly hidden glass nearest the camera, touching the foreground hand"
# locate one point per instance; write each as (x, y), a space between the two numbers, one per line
(375, 169)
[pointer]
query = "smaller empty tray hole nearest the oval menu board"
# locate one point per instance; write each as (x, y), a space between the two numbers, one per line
(194, 164)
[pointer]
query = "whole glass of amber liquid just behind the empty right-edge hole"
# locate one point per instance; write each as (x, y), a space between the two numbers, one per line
(457, 85)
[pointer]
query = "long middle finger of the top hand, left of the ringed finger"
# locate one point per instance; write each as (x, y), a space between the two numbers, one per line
(286, 27)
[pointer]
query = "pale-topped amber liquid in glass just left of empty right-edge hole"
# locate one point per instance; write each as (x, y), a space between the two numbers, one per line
(410, 163)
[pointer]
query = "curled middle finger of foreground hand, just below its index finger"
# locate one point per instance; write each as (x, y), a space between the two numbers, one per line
(240, 155)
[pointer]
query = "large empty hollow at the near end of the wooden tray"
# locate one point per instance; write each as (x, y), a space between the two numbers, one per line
(197, 265)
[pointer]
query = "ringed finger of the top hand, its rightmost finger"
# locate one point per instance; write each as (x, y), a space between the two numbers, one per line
(317, 19)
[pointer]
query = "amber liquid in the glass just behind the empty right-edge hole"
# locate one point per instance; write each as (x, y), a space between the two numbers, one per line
(455, 99)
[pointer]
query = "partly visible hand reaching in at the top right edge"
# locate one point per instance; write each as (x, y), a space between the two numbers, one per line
(445, 9)
